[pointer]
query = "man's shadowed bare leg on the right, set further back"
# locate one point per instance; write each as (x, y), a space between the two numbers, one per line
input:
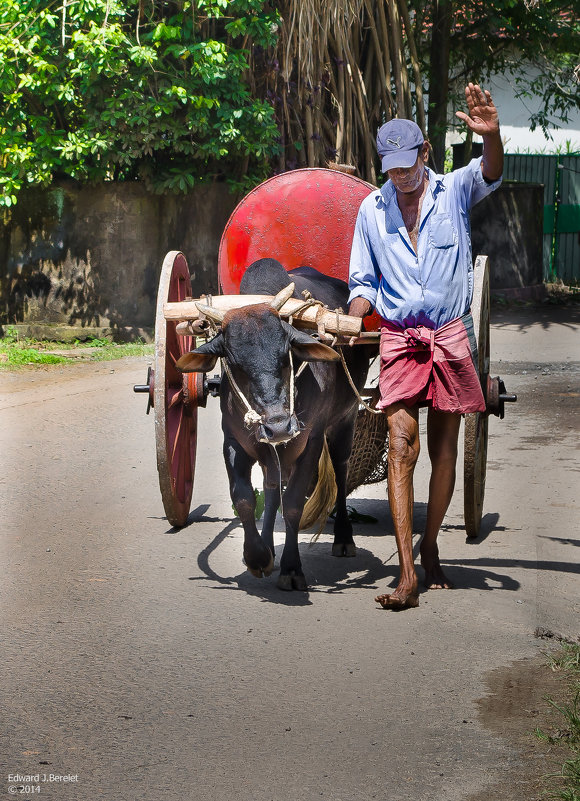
(442, 434)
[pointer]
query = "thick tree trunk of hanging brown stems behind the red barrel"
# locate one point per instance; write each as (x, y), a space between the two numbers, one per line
(342, 73)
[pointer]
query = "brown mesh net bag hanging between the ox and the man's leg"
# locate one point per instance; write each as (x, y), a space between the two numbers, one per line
(368, 460)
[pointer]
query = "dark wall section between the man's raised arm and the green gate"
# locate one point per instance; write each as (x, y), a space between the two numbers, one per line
(507, 226)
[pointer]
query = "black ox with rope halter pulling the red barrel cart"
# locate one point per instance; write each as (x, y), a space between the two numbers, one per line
(261, 422)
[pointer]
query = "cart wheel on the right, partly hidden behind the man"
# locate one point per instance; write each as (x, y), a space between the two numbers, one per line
(476, 425)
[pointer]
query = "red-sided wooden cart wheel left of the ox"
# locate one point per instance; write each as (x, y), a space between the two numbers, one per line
(176, 396)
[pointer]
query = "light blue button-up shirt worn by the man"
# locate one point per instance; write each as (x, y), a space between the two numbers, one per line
(434, 285)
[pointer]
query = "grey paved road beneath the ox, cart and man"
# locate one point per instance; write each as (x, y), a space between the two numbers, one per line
(143, 663)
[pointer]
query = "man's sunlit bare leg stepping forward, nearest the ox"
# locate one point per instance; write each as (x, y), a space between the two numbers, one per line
(402, 458)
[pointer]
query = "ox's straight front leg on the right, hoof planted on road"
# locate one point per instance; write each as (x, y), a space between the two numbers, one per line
(291, 574)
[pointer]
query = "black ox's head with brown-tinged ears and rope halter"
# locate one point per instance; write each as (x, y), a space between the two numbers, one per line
(256, 343)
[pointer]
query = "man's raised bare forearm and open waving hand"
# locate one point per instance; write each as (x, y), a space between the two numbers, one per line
(483, 120)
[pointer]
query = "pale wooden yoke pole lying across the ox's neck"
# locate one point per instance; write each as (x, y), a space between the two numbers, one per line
(305, 313)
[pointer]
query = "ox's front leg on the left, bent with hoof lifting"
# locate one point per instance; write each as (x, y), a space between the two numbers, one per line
(258, 557)
